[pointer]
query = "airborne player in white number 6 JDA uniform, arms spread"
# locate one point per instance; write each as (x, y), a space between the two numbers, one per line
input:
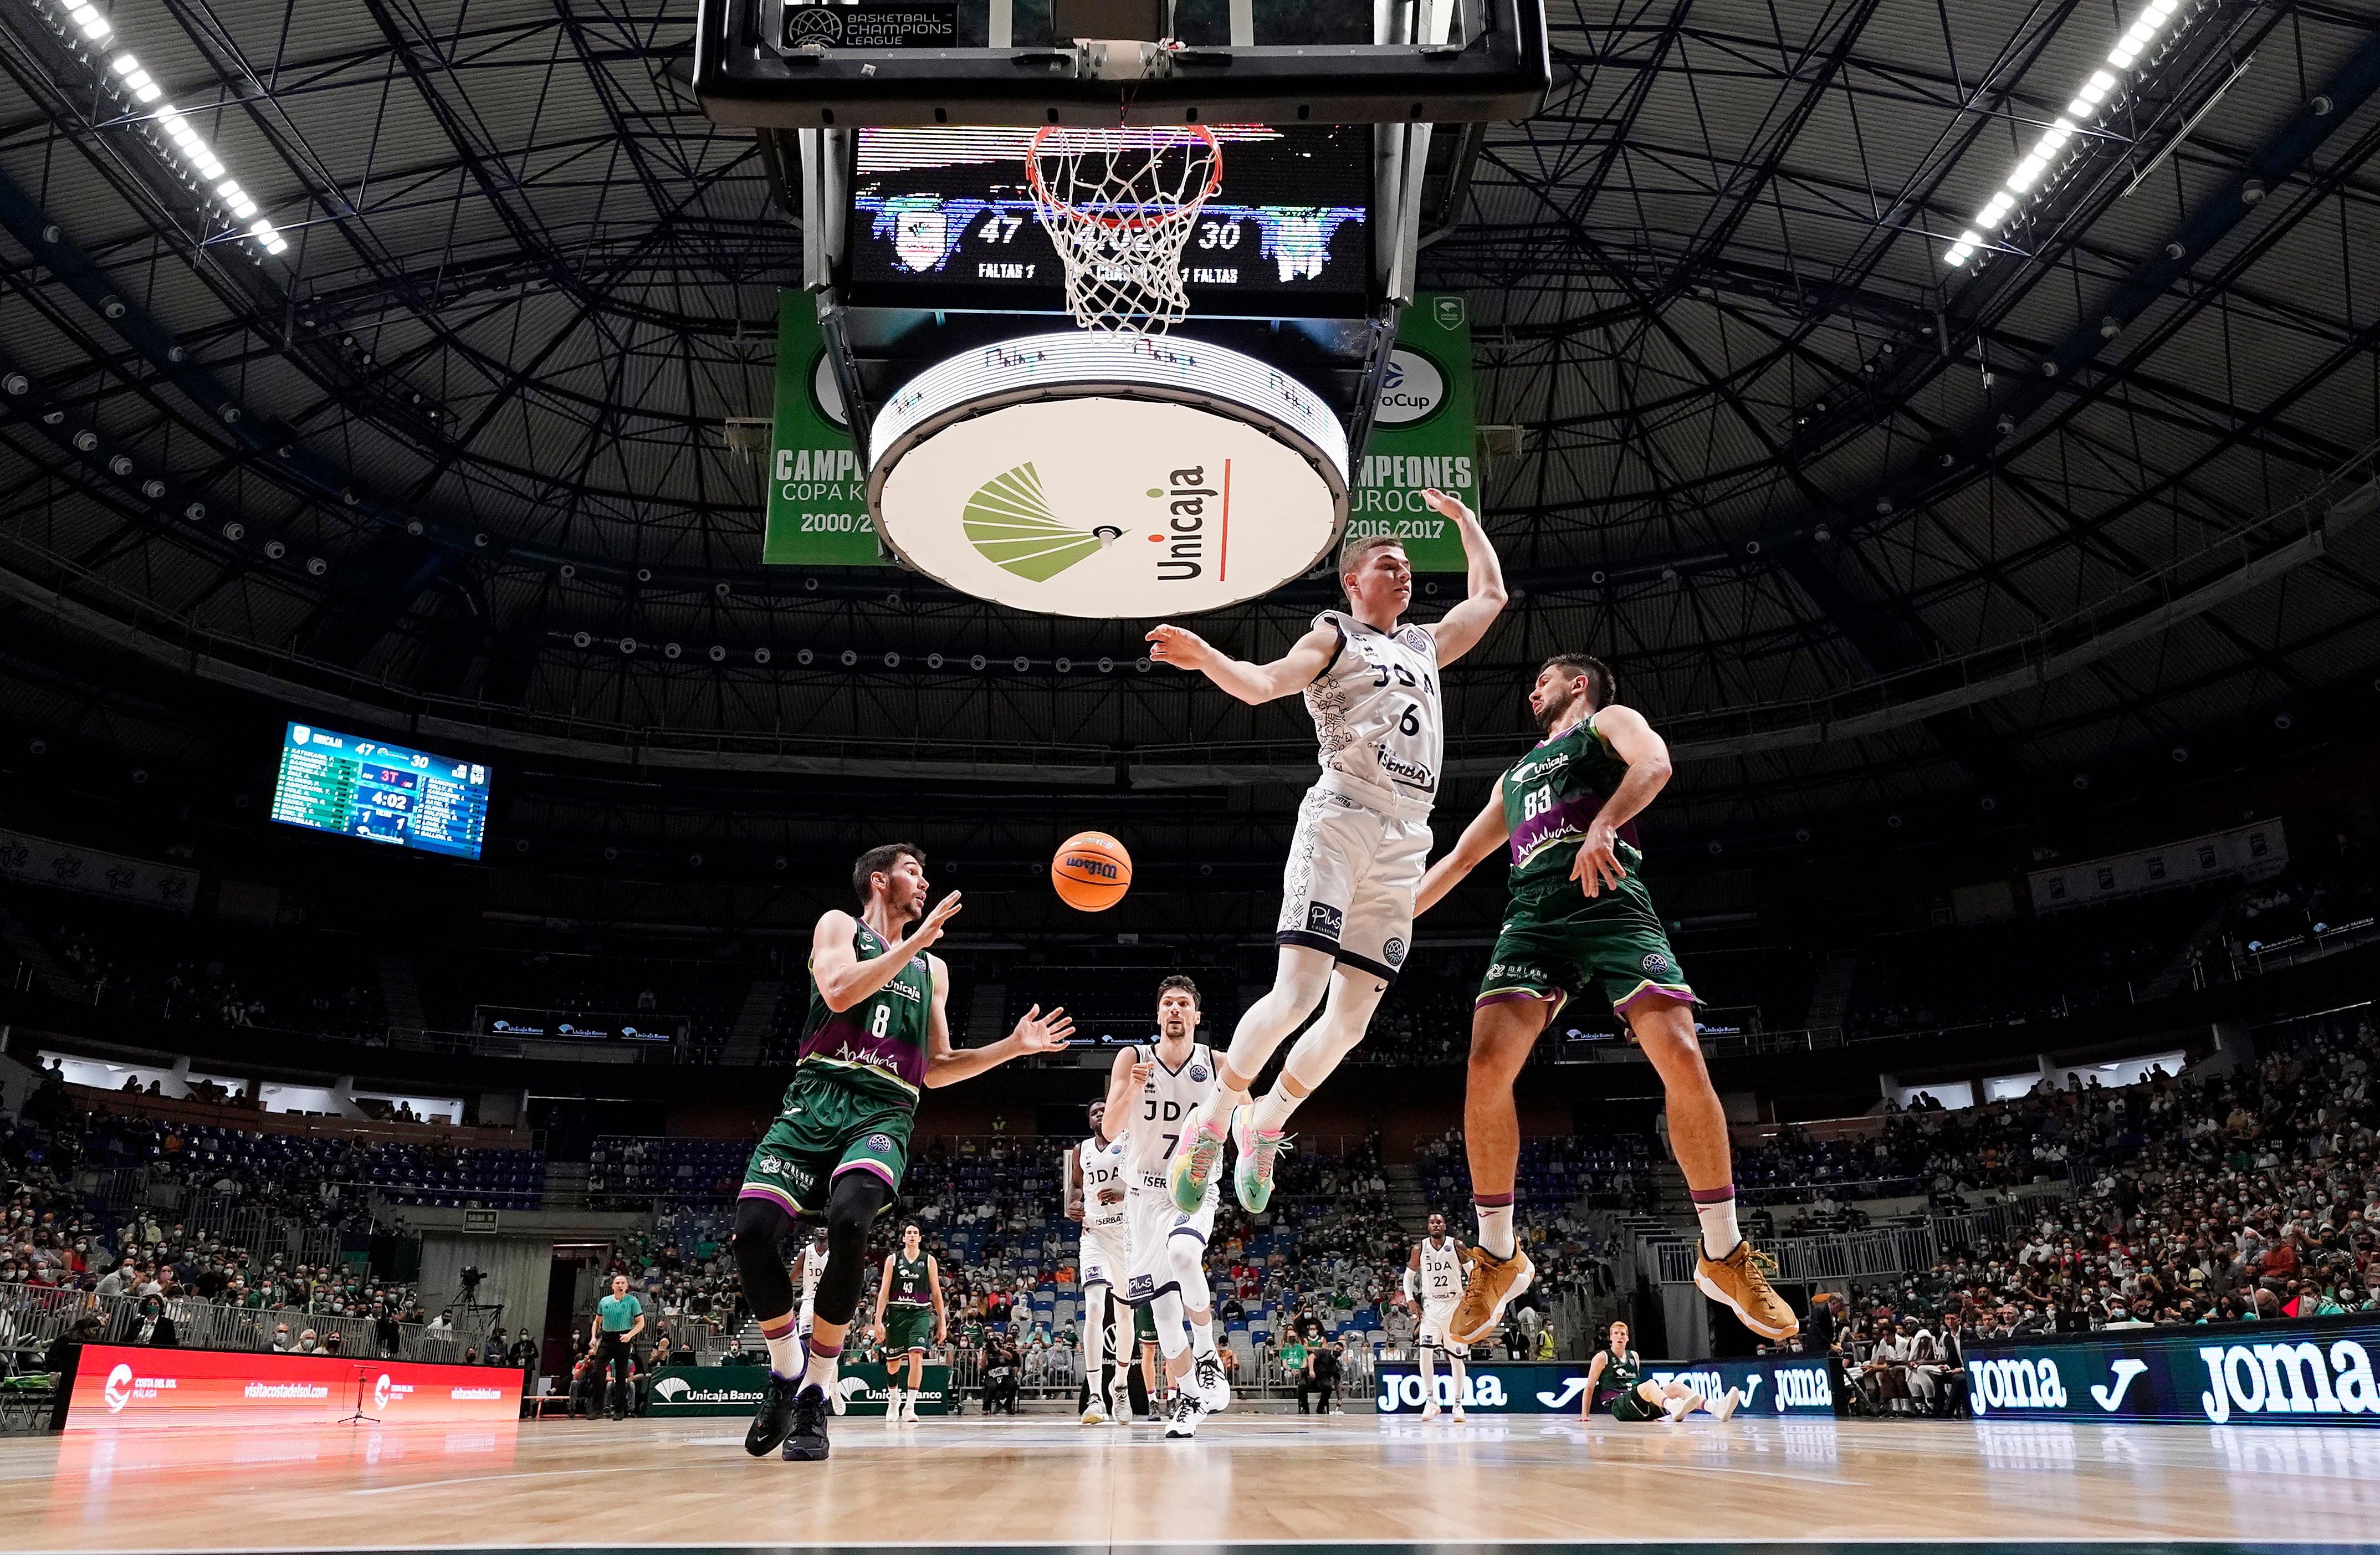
(1363, 835)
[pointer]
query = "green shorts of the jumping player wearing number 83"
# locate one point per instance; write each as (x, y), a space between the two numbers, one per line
(1560, 942)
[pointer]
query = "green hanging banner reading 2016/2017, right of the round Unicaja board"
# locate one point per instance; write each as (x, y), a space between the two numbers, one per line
(1424, 435)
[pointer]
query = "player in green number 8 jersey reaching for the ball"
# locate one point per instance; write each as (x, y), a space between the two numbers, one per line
(875, 1039)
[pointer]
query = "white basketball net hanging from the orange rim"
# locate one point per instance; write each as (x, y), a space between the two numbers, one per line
(1120, 206)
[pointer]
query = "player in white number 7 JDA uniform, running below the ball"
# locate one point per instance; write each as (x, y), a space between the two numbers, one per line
(1151, 1097)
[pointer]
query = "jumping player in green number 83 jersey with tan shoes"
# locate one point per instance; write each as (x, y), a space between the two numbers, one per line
(1584, 923)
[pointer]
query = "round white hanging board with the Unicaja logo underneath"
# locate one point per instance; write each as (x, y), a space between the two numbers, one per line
(1117, 477)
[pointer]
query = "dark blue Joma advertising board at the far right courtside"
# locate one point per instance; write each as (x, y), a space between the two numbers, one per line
(2307, 1373)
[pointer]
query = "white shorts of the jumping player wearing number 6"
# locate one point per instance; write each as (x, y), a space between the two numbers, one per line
(1351, 882)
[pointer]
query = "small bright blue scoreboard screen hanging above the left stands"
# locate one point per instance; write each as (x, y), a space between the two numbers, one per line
(380, 792)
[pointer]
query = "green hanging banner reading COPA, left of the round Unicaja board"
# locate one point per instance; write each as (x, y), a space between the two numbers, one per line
(818, 485)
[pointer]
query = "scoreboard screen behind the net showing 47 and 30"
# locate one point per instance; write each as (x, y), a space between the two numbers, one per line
(941, 218)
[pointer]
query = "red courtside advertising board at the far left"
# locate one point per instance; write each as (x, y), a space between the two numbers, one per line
(123, 1387)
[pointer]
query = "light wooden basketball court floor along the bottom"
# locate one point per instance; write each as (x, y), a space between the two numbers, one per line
(1253, 1480)
